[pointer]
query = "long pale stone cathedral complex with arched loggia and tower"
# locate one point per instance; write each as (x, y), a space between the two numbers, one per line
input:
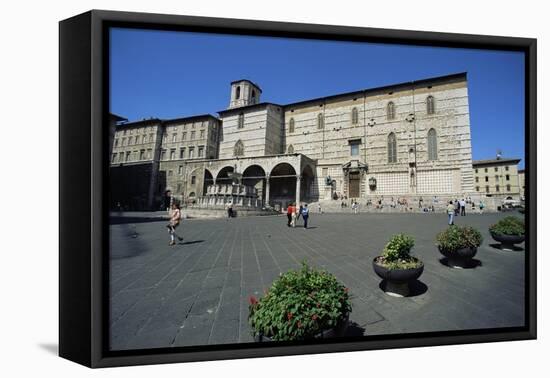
(408, 140)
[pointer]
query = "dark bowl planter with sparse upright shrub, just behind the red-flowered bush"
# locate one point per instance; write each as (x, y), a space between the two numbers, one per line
(397, 266)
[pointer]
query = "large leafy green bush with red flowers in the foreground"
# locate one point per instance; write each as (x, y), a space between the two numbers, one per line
(299, 305)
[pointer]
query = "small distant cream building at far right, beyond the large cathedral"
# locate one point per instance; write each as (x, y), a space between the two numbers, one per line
(498, 178)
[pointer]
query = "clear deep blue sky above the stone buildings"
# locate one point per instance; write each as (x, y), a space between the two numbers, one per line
(175, 74)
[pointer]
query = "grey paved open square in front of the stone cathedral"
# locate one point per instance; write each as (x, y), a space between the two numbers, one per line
(197, 292)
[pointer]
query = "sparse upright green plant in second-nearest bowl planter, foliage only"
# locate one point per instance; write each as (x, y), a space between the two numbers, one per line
(396, 254)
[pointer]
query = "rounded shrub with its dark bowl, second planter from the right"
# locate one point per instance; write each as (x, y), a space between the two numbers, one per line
(459, 245)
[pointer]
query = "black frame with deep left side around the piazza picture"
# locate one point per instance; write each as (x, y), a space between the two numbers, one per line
(83, 112)
